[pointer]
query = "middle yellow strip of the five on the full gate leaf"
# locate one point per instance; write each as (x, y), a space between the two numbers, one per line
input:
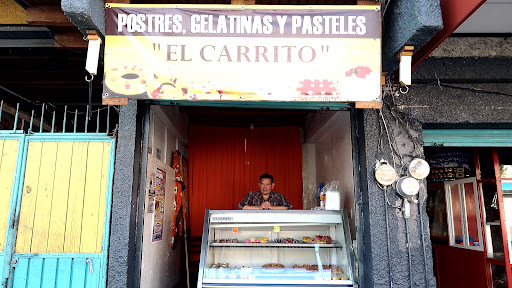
(60, 197)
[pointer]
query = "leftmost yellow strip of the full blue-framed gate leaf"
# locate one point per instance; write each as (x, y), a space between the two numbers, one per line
(29, 196)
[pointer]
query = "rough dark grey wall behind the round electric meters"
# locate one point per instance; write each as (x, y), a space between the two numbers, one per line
(400, 247)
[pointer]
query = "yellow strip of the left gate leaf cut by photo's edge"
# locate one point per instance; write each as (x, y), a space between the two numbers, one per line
(8, 153)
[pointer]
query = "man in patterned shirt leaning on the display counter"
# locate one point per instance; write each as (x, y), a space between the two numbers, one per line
(265, 198)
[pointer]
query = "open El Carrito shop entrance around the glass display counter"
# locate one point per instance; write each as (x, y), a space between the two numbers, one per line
(301, 148)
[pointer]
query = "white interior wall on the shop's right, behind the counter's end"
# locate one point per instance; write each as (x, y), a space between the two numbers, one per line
(330, 135)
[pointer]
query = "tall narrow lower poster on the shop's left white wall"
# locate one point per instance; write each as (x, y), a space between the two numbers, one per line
(159, 202)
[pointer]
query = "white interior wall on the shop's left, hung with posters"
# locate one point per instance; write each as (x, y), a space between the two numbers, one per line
(161, 265)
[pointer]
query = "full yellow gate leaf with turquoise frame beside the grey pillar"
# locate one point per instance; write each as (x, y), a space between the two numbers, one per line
(81, 259)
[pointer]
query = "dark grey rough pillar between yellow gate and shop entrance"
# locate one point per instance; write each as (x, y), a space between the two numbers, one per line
(122, 252)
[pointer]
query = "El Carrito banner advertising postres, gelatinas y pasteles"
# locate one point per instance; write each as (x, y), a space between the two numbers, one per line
(243, 53)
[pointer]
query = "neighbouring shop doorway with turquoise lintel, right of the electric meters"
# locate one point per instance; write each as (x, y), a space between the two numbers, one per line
(470, 232)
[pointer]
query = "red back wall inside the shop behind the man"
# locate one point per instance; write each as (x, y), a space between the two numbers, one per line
(225, 163)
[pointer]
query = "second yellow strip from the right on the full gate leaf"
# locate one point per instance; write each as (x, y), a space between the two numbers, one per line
(76, 198)
